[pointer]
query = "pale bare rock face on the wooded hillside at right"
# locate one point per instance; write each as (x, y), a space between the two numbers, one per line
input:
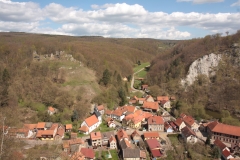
(200, 66)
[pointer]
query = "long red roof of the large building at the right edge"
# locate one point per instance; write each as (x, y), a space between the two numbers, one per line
(224, 128)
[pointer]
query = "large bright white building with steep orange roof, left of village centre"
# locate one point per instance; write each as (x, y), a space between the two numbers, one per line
(89, 124)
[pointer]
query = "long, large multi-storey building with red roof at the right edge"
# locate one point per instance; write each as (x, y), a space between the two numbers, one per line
(224, 132)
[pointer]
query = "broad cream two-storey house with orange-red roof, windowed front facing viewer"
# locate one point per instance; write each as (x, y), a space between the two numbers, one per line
(155, 123)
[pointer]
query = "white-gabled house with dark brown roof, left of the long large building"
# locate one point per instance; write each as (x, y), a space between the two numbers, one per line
(188, 135)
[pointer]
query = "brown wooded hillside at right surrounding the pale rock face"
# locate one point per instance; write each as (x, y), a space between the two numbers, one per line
(219, 94)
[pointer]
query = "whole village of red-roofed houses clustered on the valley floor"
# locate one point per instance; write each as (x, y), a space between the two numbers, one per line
(139, 130)
